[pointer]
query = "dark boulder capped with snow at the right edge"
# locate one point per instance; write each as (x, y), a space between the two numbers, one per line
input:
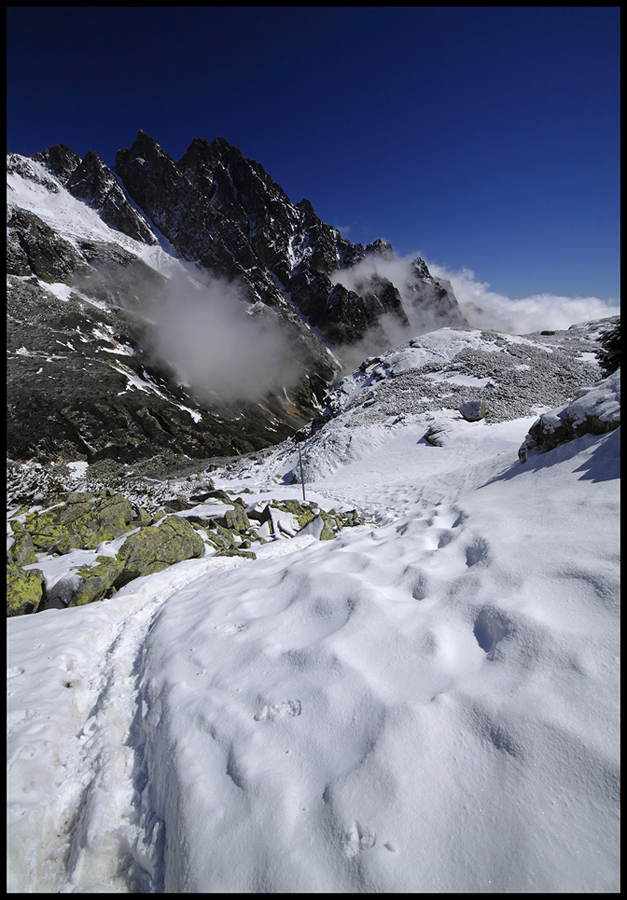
(595, 410)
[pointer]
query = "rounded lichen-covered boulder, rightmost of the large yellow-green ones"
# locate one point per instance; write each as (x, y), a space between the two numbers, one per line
(155, 548)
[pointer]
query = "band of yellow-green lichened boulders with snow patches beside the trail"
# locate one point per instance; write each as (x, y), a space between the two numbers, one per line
(129, 542)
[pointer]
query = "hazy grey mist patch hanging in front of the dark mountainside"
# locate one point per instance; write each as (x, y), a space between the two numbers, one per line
(221, 346)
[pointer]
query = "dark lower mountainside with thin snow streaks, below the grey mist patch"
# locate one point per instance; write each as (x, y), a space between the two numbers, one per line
(71, 367)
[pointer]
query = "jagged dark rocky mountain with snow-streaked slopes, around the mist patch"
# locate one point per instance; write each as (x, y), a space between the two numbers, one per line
(89, 248)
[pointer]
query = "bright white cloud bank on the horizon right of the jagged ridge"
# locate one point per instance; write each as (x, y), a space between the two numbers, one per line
(487, 309)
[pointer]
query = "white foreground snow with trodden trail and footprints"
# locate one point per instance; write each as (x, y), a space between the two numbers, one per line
(429, 702)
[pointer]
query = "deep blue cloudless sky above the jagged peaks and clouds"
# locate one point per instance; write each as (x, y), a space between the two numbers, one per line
(485, 138)
